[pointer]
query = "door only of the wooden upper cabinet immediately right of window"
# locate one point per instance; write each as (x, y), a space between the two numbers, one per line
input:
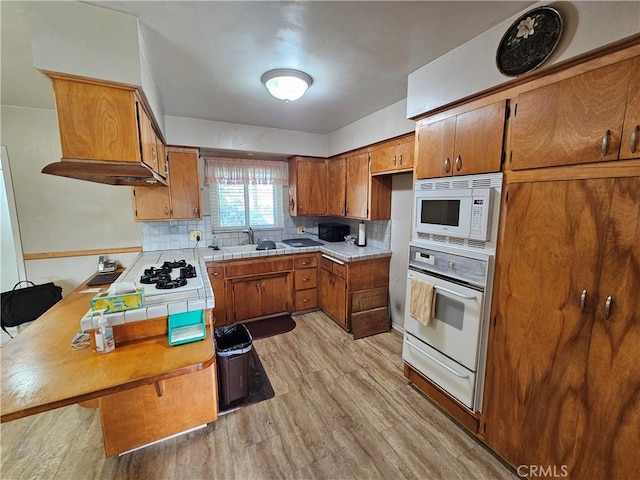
(311, 188)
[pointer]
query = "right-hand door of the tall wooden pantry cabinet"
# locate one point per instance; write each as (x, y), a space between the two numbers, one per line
(608, 442)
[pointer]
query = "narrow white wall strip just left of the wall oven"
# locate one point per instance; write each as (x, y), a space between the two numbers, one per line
(401, 207)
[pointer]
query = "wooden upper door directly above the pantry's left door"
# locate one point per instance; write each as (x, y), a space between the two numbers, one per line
(570, 121)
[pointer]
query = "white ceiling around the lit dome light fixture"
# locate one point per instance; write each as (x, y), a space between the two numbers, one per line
(207, 57)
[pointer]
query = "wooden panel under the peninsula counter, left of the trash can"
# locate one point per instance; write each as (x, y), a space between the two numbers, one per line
(133, 418)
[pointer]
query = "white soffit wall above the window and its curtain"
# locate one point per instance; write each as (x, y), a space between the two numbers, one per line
(231, 136)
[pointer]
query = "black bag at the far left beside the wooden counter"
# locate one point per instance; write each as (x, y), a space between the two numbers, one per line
(22, 305)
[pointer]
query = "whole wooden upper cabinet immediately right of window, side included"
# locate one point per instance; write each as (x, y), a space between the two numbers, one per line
(307, 186)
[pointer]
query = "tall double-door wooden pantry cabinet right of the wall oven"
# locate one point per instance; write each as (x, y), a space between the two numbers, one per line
(563, 368)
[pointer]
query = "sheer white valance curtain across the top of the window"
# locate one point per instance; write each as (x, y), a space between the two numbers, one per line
(235, 171)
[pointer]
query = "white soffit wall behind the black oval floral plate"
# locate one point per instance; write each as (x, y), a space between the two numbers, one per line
(471, 68)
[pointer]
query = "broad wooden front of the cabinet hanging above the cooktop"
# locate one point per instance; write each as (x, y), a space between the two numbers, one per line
(96, 122)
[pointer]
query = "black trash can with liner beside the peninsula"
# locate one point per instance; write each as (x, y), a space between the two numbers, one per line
(233, 346)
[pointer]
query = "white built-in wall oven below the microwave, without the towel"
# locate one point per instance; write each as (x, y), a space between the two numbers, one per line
(450, 349)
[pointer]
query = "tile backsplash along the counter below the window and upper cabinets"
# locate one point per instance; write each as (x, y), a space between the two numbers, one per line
(175, 234)
